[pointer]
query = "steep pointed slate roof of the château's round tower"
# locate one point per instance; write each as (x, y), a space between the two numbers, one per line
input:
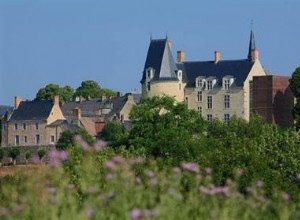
(159, 57)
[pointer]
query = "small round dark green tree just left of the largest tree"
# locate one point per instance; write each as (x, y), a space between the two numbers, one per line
(114, 133)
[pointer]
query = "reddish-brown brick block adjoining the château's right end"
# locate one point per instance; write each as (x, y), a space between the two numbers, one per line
(273, 99)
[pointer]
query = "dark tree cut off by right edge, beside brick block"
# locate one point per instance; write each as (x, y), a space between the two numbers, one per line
(295, 87)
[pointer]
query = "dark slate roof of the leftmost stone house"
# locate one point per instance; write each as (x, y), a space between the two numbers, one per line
(32, 110)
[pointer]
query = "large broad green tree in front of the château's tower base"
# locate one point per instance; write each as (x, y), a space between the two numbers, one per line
(165, 128)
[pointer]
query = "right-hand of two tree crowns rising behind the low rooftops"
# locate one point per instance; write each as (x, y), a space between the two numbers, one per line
(91, 89)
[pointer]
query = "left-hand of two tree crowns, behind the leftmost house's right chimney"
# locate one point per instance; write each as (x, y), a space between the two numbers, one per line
(49, 91)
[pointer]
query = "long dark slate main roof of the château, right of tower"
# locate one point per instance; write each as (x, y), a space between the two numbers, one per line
(239, 69)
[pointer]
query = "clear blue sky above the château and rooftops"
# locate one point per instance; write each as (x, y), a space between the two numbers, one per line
(68, 41)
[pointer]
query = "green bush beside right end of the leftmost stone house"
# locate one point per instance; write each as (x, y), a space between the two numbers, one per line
(66, 139)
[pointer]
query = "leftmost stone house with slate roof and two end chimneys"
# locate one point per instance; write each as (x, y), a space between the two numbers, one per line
(31, 123)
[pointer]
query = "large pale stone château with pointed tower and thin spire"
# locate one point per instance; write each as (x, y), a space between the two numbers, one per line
(217, 88)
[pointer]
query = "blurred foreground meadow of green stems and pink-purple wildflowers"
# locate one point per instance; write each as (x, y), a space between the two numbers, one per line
(101, 183)
